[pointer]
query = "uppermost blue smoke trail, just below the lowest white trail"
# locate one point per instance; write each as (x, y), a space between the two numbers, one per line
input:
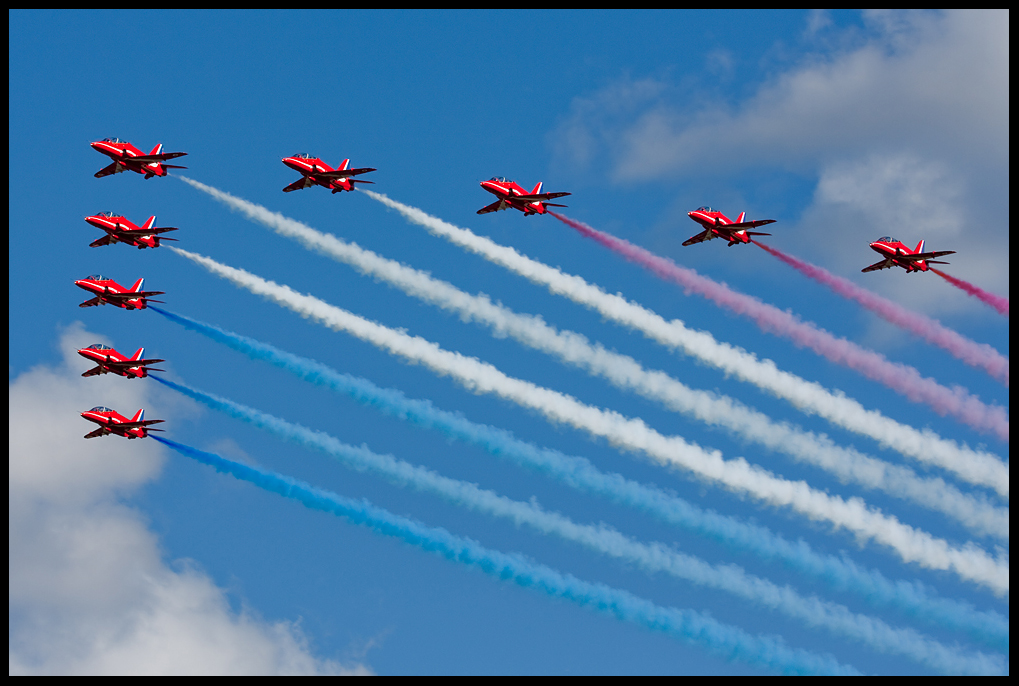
(843, 574)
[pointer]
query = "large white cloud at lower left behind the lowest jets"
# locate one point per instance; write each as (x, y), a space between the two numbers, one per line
(89, 590)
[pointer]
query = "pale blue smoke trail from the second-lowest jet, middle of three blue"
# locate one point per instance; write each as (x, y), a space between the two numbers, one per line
(653, 558)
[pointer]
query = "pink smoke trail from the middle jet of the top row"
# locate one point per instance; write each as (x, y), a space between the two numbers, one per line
(956, 402)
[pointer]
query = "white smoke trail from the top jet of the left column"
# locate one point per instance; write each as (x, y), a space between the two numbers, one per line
(625, 373)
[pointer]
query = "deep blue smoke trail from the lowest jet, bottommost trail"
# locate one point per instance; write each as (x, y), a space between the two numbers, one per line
(689, 626)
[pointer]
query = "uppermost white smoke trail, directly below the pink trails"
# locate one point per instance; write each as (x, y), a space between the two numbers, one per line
(809, 397)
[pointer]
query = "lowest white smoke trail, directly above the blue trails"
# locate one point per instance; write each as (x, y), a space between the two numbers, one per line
(911, 545)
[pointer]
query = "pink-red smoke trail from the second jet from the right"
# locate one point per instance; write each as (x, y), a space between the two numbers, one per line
(978, 355)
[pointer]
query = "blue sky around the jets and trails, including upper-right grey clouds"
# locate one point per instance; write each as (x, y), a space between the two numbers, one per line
(842, 127)
